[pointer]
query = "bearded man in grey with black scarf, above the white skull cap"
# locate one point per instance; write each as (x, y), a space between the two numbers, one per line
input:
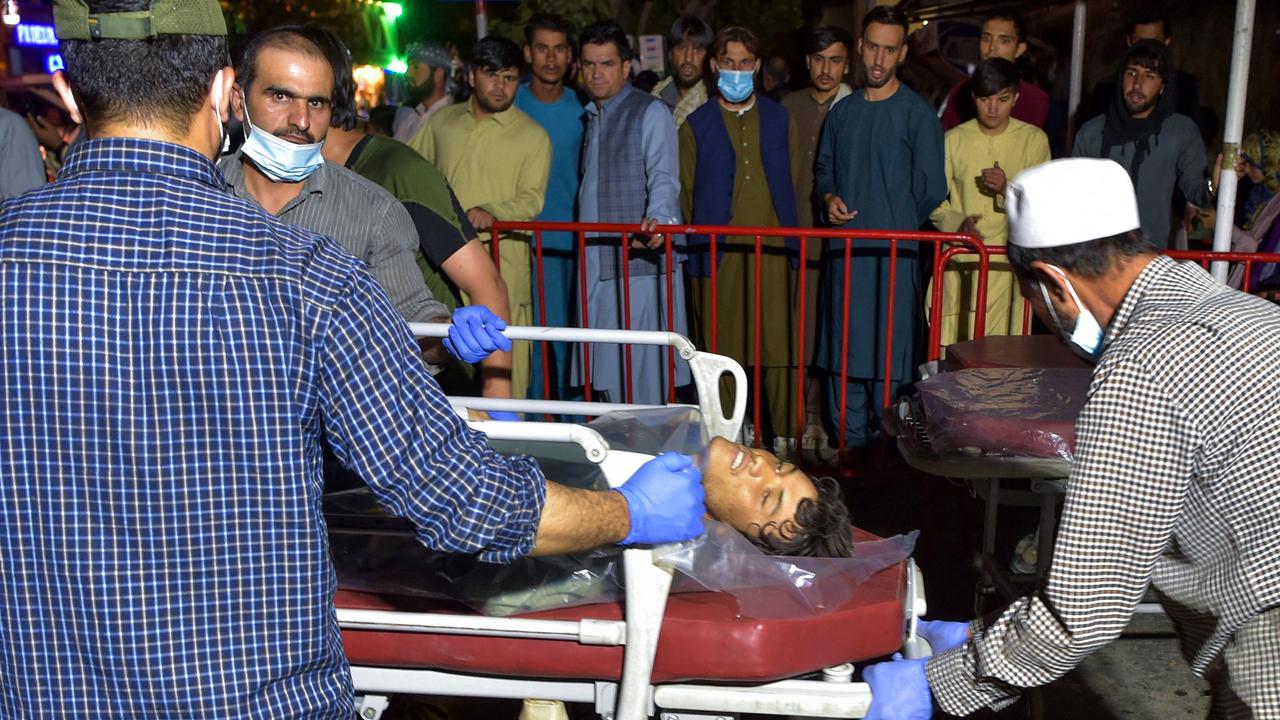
(1158, 147)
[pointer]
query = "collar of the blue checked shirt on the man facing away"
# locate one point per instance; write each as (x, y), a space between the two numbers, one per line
(138, 156)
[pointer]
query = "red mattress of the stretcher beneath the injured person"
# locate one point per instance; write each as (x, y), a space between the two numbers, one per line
(703, 637)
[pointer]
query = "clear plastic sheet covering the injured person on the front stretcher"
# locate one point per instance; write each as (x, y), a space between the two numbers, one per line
(376, 553)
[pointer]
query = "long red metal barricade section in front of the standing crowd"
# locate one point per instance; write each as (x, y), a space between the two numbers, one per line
(931, 247)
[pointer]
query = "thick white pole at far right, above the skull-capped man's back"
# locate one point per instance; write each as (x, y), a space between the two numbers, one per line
(1233, 130)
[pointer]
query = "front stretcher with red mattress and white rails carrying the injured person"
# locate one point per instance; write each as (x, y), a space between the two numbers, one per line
(693, 654)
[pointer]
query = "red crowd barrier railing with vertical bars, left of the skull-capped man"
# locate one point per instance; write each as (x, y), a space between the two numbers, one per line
(931, 248)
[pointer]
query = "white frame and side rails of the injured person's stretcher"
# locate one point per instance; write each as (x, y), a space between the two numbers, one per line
(648, 584)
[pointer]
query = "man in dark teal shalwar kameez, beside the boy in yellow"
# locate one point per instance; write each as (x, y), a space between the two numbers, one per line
(880, 167)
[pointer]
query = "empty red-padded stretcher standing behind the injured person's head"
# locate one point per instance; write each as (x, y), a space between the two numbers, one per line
(1000, 417)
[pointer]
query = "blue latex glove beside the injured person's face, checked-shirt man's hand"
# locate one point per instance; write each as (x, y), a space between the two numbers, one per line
(666, 500)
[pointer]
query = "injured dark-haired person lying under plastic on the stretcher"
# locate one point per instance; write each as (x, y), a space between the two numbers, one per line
(775, 505)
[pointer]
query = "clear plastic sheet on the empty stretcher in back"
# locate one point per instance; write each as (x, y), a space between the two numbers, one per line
(1011, 412)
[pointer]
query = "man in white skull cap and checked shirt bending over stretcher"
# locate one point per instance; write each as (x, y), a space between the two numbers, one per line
(1174, 481)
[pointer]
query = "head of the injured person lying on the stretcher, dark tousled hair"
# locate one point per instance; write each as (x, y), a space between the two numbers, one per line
(778, 507)
